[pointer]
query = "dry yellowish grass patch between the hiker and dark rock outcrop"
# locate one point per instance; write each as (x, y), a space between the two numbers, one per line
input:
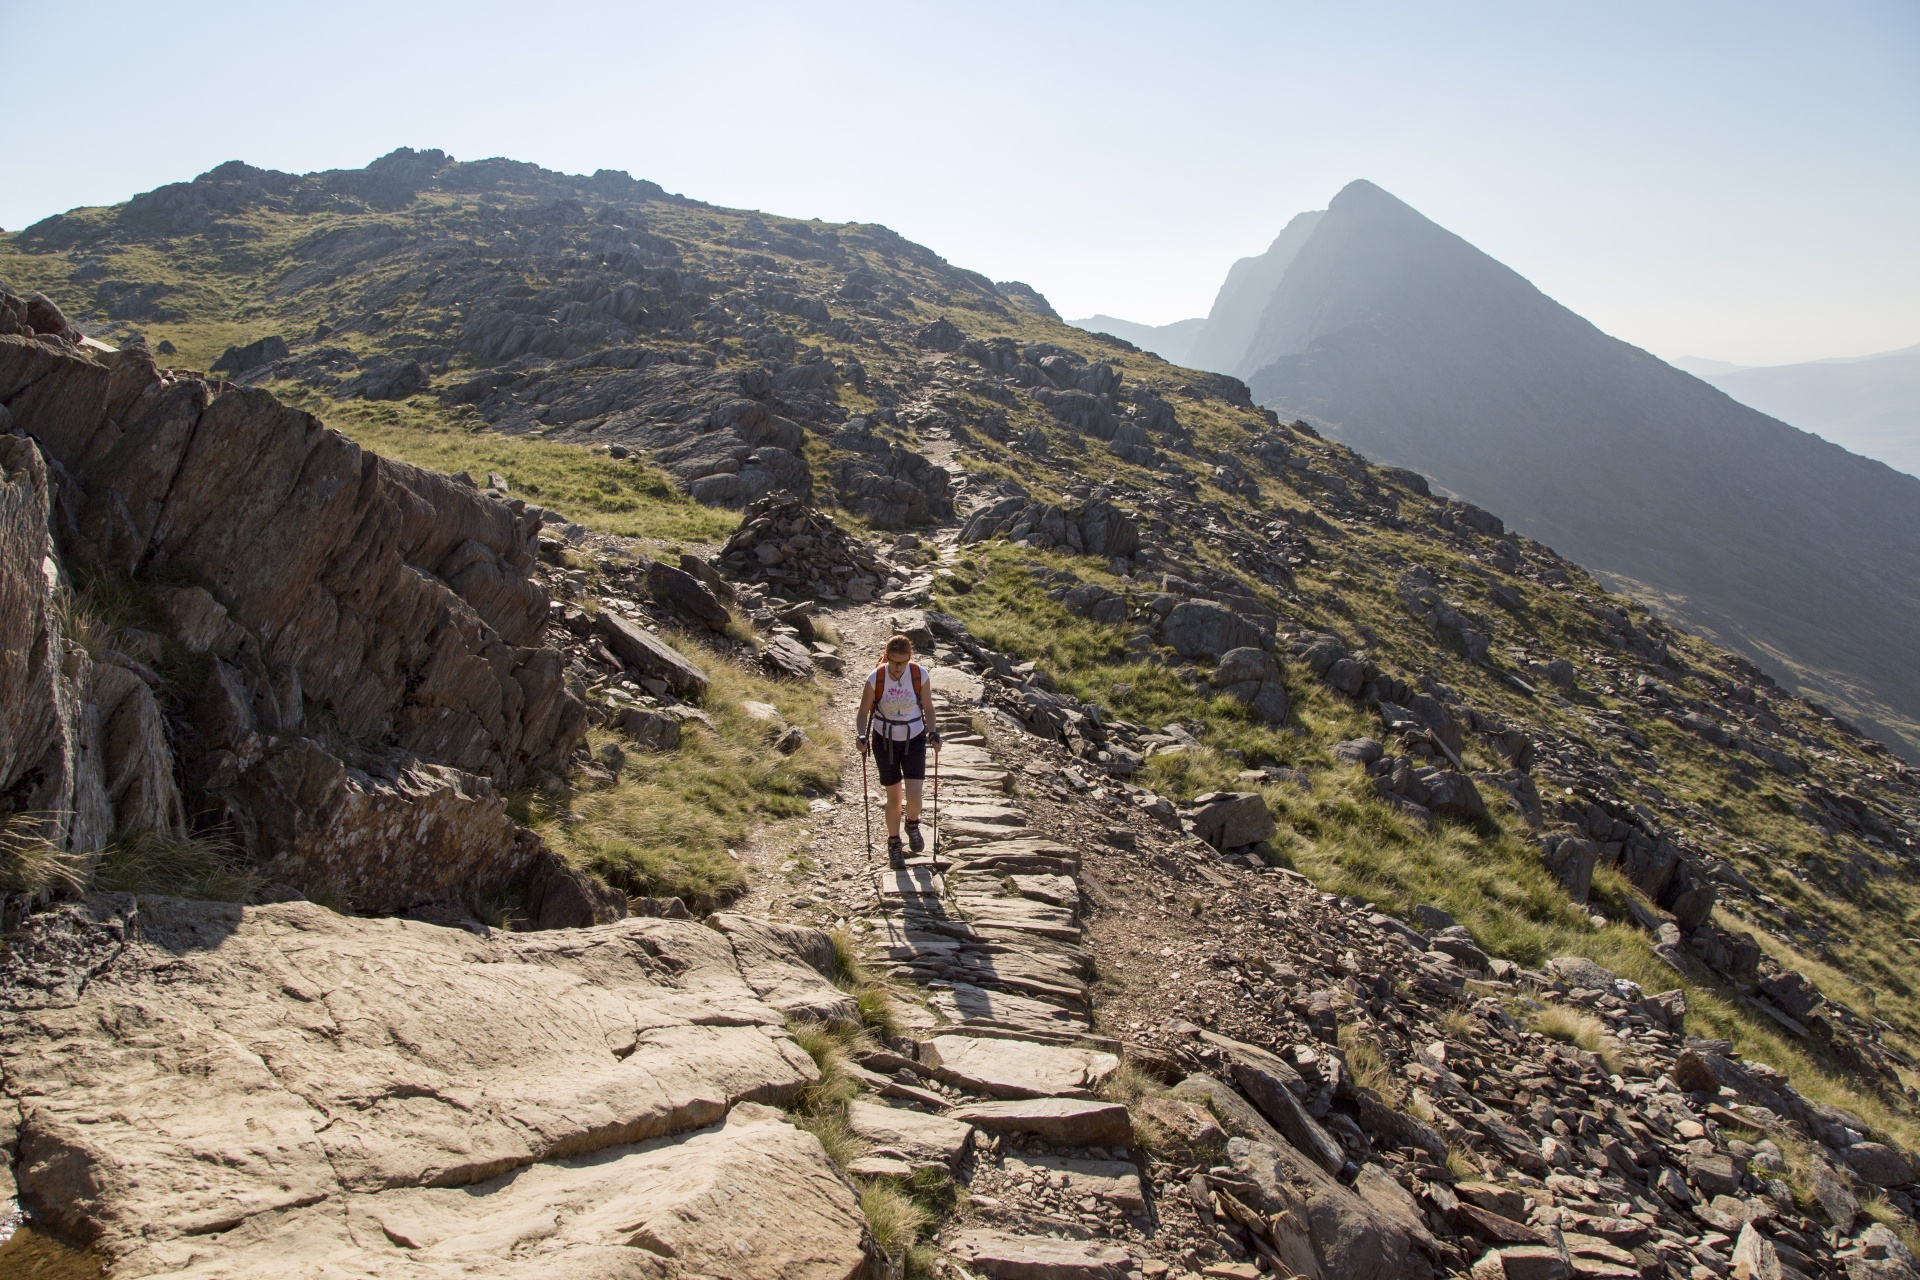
(669, 820)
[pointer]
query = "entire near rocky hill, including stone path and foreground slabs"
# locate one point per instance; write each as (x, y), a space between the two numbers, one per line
(437, 598)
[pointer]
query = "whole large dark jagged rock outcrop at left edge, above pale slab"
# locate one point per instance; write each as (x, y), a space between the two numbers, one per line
(360, 640)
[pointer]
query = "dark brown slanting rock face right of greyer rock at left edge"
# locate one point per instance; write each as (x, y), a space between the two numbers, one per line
(393, 600)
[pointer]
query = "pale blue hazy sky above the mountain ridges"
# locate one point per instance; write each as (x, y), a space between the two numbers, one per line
(1737, 181)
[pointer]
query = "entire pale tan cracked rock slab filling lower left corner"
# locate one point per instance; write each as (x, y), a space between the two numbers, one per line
(237, 1091)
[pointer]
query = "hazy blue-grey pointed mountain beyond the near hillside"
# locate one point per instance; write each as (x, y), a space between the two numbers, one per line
(1420, 350)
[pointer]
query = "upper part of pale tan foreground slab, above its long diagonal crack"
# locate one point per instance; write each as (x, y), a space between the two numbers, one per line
(231, 1064)
